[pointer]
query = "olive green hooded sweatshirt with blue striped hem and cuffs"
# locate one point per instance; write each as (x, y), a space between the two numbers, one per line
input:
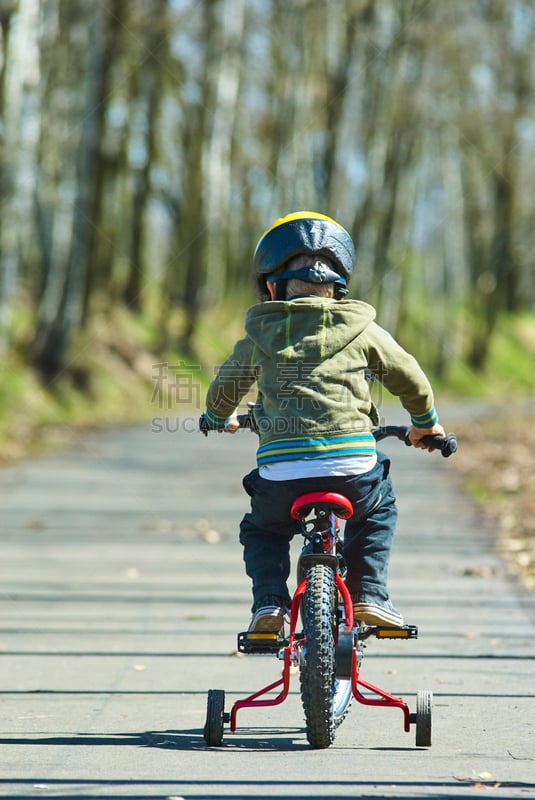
(311, 358)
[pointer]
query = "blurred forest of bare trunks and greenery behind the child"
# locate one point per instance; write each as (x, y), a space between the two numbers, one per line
(146, 144)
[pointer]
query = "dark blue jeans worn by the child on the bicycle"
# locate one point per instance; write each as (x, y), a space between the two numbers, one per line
(266, 531)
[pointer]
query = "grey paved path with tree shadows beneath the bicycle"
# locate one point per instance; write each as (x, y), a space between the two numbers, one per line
(122, 589)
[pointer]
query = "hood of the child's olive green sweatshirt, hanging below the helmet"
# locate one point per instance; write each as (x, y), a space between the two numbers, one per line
(306, 328)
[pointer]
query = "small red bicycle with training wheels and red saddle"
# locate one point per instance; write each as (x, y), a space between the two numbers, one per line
(328, 651)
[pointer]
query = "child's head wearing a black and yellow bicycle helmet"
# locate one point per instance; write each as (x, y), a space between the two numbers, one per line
(318, 249)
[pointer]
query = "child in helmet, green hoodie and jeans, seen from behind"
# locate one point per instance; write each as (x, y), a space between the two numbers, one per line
(310, 351)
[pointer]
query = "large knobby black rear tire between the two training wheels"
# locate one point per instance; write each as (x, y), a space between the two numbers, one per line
(317, 674)
